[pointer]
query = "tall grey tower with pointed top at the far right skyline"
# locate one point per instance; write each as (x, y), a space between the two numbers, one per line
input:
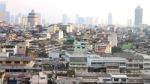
(138, 16)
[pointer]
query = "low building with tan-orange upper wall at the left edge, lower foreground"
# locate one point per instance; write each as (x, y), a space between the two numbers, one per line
(17, 64)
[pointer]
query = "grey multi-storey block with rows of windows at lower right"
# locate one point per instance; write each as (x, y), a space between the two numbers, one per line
(134, 65)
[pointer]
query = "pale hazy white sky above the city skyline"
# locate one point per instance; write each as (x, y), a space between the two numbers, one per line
(121, 10)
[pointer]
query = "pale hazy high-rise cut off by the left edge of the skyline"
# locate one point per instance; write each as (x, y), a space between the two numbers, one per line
(2, 11)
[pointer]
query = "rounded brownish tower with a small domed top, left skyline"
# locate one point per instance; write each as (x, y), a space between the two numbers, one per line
(33, 19)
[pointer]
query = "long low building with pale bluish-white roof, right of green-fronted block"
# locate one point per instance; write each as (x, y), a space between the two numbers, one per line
(113, 65)
